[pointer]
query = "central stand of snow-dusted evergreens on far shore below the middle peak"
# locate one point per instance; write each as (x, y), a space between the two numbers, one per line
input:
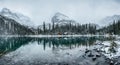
(68, 28)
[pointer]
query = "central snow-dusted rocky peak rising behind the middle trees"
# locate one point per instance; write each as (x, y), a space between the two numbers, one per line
(60, 18)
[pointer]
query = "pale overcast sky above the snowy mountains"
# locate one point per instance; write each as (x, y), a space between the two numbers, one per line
(79, 10)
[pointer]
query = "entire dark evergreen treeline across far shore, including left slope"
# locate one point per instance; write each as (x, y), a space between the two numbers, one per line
(11, 27)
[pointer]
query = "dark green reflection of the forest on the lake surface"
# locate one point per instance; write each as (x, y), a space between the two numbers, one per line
(12, 43)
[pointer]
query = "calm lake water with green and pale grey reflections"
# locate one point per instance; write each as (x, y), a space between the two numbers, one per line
(44, 51)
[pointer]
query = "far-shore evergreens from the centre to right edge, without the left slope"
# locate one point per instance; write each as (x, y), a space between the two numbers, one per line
(76, 28)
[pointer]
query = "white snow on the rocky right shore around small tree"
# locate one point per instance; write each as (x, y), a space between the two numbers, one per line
(107, 45)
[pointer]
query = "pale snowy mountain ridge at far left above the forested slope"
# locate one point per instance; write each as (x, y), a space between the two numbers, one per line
(20, 18)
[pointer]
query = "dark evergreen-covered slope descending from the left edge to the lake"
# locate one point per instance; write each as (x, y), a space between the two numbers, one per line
(10, 26)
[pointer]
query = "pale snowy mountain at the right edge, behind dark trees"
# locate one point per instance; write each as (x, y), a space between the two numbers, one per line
(110, 19)
